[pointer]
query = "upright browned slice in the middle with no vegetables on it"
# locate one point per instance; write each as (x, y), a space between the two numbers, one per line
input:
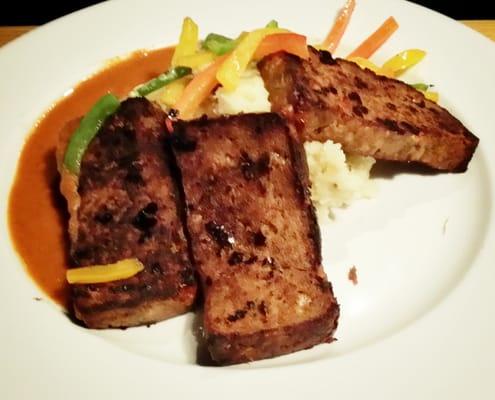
(254, 237)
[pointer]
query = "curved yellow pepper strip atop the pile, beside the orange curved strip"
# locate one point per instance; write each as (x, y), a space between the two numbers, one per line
(231, 70)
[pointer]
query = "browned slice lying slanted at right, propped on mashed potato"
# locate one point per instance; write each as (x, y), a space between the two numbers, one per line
(371, 115)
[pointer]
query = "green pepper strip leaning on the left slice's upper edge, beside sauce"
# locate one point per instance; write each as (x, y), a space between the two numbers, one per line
(87, 130)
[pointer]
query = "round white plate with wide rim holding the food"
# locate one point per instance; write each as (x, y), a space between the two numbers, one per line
(420, 322)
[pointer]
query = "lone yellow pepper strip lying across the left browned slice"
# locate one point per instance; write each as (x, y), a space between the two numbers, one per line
(104, 273)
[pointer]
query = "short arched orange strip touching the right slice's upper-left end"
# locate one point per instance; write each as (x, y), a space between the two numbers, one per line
(289, 42)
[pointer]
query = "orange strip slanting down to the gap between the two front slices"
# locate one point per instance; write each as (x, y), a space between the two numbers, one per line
(198, 89)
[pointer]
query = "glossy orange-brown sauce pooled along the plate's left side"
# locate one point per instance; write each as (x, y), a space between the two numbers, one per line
(37, 212)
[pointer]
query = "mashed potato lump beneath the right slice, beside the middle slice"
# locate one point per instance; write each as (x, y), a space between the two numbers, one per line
(337, 179)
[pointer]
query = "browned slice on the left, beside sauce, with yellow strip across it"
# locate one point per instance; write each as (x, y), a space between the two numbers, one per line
(127, 206)
